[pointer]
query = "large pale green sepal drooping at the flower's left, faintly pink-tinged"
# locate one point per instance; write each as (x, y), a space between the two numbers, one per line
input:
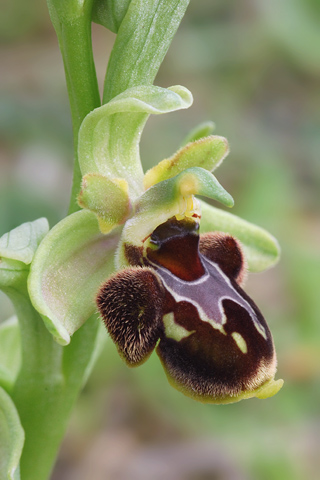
(68, 268)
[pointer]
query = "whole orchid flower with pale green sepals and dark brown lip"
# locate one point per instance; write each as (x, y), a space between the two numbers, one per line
(134, 252)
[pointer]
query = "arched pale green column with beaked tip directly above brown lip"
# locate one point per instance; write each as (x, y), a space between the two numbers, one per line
(172, 197)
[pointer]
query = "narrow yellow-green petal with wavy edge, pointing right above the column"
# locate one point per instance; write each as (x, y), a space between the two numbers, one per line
(207, 153)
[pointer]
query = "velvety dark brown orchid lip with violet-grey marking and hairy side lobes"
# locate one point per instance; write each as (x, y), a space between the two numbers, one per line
(182, 292)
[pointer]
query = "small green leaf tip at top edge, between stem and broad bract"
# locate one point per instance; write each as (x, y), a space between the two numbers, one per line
(110, 13)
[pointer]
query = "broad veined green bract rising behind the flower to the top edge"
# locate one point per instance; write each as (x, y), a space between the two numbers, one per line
(141, 44)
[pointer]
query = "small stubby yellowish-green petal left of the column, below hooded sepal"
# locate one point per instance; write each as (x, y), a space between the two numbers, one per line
(107, 199)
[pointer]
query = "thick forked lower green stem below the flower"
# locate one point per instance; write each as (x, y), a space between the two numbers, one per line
(47, 386)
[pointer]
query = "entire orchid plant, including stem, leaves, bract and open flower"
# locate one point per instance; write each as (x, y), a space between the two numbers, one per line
(164, 269)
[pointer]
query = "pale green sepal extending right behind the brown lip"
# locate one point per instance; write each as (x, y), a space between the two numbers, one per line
(261, 248)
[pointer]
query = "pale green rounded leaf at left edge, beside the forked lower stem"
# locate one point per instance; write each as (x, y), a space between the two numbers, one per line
(10, 352)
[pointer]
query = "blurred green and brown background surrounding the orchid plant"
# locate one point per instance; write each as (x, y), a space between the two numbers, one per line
(254, 68)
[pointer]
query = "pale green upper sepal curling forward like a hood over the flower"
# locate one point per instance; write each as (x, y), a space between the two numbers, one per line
(109, 136)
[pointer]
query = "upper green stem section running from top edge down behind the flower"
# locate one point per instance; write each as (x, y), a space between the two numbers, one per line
(74, 36)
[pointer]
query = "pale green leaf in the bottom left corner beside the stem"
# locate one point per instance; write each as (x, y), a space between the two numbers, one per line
(11, 438)
